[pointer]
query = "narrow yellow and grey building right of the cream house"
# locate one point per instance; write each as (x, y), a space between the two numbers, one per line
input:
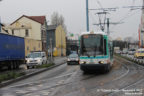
(56, 37)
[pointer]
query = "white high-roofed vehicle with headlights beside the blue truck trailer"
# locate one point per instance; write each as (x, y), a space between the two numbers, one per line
(36, 58)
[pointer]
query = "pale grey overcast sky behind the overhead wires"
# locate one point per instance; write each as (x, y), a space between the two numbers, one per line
(75, 14)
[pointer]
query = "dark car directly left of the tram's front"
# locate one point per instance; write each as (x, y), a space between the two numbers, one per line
(73, 59)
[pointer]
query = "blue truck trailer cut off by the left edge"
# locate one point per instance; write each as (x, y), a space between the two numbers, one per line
(12, 51)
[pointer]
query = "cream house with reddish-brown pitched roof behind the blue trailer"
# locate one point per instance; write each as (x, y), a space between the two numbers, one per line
(33, 29)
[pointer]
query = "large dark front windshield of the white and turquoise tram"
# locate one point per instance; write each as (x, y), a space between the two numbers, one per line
(93, 45)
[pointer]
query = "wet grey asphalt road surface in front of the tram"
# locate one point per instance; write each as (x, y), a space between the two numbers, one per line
(125, 79)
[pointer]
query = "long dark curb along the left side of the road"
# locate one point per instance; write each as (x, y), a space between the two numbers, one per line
(3, 84)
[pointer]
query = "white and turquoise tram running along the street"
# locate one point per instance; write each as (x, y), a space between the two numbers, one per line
(96, 51)
